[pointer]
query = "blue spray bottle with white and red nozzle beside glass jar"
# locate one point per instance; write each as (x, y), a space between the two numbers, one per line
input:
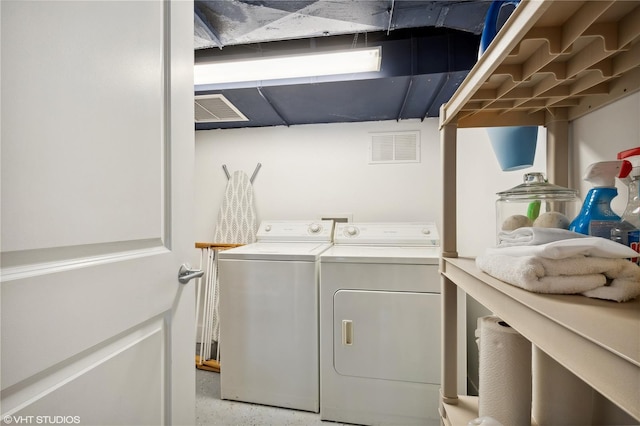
(596, 217)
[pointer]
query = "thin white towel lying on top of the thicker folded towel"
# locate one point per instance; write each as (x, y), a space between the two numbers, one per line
(562, 249)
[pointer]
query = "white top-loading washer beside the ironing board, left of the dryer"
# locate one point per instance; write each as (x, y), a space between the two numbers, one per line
(269, 331)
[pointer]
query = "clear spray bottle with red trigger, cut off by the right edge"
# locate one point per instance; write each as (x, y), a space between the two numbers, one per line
(628, 231)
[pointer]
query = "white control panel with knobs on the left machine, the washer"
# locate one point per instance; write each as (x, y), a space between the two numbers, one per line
(295, 230)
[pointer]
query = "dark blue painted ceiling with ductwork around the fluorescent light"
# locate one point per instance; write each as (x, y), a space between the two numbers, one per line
(428, 47)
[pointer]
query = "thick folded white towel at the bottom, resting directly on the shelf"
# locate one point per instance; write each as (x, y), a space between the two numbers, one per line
(573, 275)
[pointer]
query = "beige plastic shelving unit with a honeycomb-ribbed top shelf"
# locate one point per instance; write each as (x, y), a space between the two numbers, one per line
(552, 62)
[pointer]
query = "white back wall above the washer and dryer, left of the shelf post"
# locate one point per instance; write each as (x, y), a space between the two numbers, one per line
(313, 170)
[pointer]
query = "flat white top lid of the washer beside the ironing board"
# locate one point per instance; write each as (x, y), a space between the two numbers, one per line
(290, 251)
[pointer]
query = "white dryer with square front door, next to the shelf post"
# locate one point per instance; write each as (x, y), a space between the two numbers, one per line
(380, 324)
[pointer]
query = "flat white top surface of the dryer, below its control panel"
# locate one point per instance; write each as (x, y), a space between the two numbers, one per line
(381, 254)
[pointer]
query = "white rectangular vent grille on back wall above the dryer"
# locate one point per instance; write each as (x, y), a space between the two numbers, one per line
(393, 148)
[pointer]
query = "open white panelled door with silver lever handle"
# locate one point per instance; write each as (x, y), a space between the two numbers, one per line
(97, 154)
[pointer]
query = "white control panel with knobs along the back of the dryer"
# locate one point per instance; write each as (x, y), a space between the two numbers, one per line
(387, 234)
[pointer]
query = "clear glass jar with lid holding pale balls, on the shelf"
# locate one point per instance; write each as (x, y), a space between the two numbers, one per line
(537, 203)
